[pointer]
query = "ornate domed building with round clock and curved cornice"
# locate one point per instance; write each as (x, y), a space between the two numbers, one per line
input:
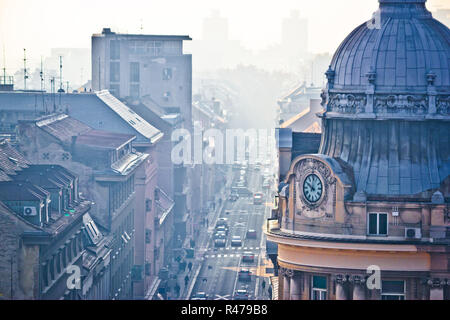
(367, 216)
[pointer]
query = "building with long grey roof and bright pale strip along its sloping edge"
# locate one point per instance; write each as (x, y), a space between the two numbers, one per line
(102, 111)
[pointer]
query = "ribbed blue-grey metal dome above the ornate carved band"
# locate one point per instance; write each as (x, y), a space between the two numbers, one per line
(402, 48)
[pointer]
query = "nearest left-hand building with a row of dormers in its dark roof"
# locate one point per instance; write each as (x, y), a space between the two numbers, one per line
(51, 247)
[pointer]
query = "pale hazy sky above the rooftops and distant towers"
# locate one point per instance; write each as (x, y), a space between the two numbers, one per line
(39, 25)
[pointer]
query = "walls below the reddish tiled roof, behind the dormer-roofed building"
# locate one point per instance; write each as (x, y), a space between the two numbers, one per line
(34, 144)
